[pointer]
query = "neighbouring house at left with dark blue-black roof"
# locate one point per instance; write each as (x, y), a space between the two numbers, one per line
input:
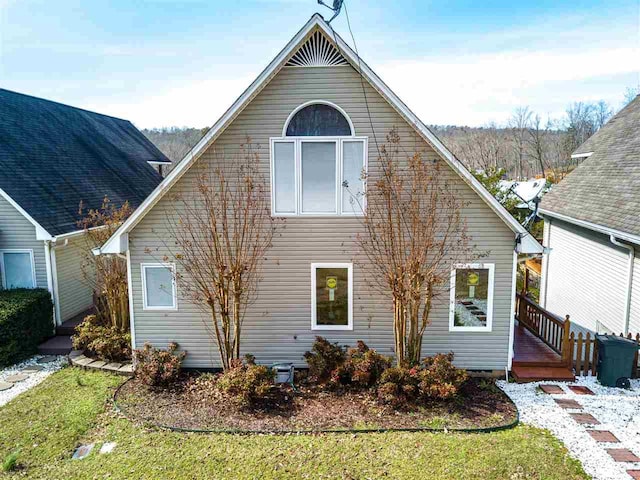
(53, 157)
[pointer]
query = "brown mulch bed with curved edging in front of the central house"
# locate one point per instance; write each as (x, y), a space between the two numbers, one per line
(310, 408)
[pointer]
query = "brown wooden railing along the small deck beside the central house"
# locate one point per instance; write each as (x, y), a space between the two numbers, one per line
(549, 328)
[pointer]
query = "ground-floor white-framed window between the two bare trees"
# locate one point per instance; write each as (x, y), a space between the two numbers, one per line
(332, 296)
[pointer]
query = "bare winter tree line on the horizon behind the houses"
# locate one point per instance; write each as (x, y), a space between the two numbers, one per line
(526, 146)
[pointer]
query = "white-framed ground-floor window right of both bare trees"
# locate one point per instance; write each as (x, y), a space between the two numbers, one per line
(471, 308)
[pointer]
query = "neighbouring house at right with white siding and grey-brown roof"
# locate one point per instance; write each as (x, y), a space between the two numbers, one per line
(592, 228)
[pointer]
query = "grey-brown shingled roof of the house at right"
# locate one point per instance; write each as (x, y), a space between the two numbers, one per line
(602, 193)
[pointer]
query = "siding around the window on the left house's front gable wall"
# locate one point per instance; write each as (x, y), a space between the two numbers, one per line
(18, 232)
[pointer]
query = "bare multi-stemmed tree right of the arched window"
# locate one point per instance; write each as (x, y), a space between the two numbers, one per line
(413, 234)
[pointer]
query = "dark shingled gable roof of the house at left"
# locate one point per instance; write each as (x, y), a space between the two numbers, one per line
(54, 156)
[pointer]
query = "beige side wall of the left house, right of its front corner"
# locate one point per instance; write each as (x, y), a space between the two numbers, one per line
(74, 292)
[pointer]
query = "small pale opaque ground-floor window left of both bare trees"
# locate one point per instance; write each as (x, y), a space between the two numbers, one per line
(159, 286)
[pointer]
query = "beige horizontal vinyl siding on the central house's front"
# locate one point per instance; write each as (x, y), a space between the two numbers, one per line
(278, 324)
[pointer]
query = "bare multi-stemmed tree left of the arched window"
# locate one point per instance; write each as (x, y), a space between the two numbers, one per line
(221, 234)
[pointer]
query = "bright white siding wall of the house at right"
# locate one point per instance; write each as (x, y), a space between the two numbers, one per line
(586, 277)
